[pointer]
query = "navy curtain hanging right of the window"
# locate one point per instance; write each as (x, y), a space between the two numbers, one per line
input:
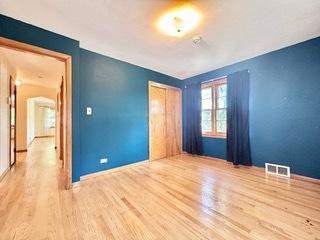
(238, 142)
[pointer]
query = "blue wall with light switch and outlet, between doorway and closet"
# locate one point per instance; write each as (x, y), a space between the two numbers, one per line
(118, 127)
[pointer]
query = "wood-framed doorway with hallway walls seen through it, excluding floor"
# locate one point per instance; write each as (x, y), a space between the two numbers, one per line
(37, 103)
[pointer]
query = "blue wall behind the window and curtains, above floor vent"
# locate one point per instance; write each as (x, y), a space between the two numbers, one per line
(284, 108)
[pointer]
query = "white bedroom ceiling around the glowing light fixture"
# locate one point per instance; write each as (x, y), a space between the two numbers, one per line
(232, 30)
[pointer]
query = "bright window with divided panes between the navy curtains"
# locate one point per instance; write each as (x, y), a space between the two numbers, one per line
(214, 108)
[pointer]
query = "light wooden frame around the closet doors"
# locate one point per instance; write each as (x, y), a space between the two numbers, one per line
(161, 85)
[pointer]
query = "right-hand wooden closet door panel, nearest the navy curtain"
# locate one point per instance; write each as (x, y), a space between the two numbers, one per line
(173, 120)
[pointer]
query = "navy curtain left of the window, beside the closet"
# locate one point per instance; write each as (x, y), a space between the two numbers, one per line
(193, 119)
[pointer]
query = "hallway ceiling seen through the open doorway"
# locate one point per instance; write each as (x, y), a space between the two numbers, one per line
(35, 69)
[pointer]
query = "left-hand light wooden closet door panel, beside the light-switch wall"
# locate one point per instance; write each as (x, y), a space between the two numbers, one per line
(157, 122)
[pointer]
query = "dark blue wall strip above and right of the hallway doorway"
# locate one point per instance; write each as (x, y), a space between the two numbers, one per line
(26, 33)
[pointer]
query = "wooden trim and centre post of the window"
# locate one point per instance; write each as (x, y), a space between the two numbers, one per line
(214, 85)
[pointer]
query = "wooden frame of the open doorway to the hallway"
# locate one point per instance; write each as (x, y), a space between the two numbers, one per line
(67, 59)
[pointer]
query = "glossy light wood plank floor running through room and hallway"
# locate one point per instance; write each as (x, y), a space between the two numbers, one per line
(179, 198)
